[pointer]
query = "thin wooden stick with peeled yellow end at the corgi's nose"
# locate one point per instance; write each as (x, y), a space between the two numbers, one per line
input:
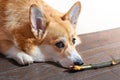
(95, 66)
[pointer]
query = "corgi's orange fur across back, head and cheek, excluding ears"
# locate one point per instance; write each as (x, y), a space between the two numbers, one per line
(15, 26)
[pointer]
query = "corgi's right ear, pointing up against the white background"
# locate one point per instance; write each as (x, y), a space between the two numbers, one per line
(73, 13)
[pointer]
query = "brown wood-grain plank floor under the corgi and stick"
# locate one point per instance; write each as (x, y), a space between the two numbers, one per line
(95, 48)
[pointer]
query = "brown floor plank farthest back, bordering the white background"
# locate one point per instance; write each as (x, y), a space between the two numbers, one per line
(93, 40)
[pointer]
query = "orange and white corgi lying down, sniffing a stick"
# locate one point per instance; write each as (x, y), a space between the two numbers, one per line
(32, 31)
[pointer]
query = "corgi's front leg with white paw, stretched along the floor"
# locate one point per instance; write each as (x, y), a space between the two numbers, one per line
(11, 51)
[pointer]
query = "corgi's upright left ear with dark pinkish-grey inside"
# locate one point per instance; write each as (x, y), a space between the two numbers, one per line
(38, 21)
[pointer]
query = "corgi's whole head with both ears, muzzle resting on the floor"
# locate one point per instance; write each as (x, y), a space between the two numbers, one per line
(57, 34)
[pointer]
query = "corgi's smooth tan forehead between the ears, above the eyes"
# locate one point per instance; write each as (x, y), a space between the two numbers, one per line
(61, 28)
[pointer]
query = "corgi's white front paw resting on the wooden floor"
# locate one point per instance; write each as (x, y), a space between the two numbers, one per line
(23, 58)
